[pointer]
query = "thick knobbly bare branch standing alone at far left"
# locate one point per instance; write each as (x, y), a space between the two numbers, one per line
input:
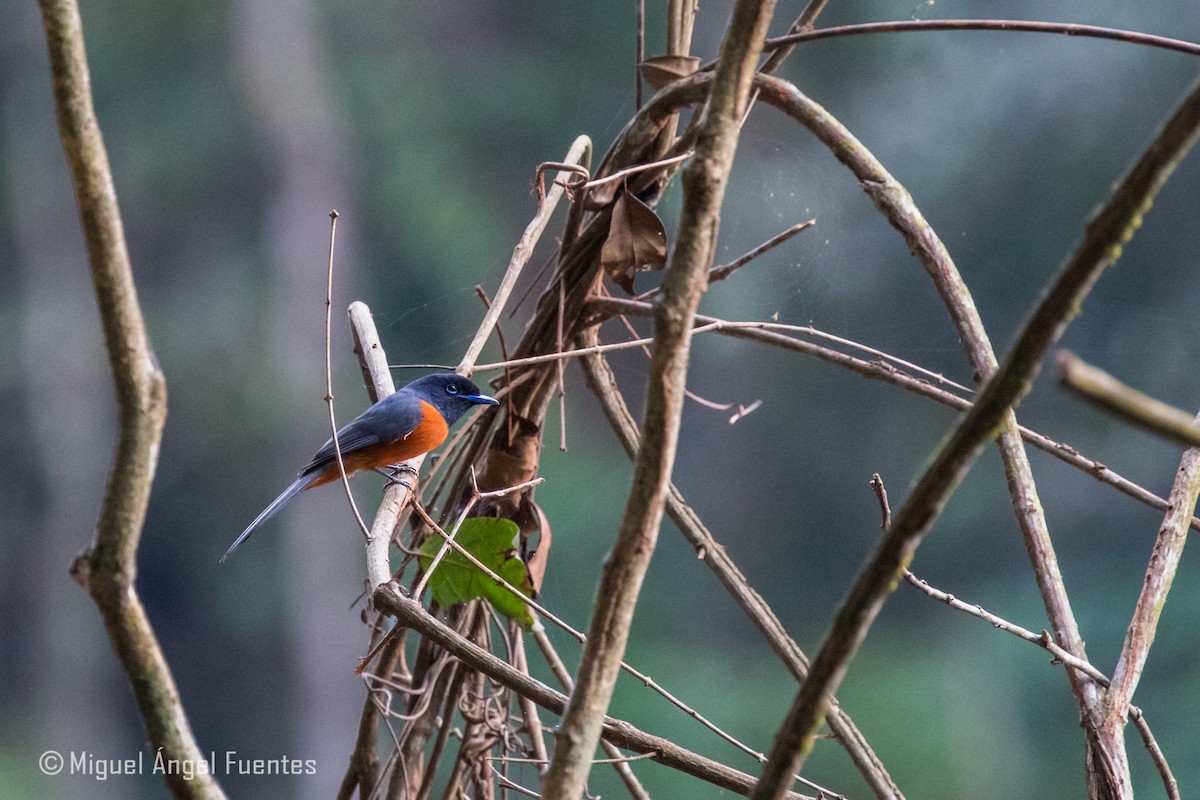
(107, 569)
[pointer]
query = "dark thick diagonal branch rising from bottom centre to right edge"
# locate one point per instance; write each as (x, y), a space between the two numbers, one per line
(1105, 236)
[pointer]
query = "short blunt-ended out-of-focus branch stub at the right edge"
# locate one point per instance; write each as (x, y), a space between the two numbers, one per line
(1106, 393)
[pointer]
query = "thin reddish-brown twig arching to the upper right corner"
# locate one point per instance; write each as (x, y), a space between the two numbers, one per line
(908, 26)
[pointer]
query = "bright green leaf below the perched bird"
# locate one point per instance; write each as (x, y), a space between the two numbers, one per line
(493, 542)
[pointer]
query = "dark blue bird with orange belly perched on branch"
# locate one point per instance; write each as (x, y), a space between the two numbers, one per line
(407, 424)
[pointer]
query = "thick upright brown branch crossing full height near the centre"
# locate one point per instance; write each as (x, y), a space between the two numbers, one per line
(705, 179)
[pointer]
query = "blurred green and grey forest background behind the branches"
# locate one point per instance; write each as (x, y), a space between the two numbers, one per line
(235, 128)
